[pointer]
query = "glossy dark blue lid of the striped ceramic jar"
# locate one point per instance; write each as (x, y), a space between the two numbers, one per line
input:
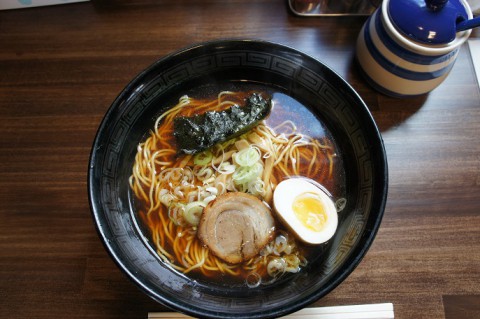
(427, 21)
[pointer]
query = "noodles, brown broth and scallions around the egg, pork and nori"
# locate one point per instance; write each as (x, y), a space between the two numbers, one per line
(173, 189)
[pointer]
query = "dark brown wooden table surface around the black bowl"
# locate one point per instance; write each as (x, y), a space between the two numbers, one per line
(62, 66)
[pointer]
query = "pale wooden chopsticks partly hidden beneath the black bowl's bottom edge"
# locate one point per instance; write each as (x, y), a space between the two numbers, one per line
(370, 311)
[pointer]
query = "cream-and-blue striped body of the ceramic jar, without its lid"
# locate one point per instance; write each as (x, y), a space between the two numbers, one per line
(399, 66)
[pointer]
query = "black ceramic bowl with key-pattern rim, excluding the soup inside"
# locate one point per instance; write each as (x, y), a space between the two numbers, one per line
(220, 63)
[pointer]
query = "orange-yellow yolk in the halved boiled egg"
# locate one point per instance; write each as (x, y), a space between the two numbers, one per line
(310, 211)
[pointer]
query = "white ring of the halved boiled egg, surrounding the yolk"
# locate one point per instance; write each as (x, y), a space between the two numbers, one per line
(283, 197)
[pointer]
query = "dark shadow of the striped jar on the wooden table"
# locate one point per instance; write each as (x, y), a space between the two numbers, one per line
(388, 112)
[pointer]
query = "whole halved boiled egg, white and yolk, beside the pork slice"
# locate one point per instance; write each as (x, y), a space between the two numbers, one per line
(306, 209)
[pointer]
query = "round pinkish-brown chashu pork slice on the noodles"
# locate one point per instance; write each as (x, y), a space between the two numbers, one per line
(236, 226)
